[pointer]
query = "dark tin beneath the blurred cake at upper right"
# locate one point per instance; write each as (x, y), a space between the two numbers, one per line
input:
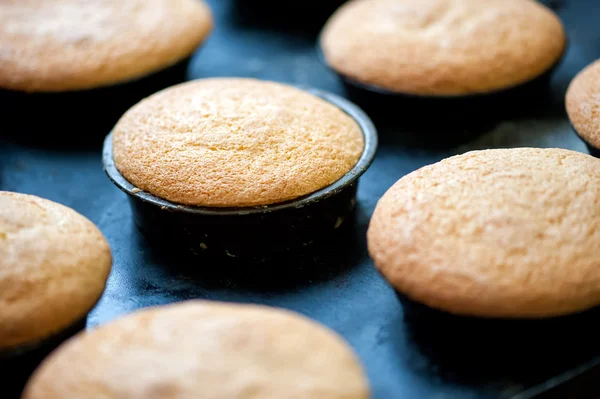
(418, 110)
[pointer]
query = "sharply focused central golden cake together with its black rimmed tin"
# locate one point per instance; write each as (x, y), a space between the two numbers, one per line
(240, 167)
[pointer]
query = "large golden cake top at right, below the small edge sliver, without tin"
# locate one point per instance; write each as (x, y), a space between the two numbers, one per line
(511, 233)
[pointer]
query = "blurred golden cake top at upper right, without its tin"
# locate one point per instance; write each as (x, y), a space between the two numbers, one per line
(443, 47)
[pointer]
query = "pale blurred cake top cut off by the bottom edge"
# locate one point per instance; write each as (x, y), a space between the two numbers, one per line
(203, 349)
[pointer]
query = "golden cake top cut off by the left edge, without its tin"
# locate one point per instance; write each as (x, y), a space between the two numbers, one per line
(54, 264)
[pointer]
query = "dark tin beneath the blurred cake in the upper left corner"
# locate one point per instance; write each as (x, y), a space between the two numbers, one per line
(73, 115)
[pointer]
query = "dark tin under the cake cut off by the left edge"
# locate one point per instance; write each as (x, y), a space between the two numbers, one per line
(19, 363)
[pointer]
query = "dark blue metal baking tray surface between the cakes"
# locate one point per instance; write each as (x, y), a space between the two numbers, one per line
(403, 359)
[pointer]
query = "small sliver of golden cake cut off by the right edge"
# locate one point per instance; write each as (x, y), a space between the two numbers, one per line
(583, 101)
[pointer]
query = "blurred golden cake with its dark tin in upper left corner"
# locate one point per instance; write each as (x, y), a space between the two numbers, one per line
(93, 59)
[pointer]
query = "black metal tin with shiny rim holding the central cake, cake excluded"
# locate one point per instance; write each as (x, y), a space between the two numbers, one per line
(251, 233)
